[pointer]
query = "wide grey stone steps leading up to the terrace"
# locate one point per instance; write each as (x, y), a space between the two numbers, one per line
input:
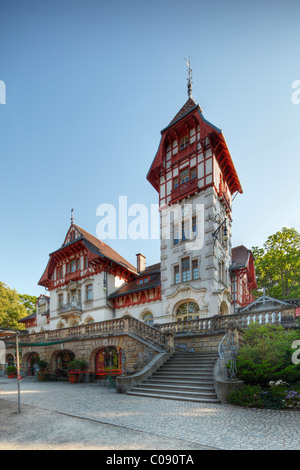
(185, 376)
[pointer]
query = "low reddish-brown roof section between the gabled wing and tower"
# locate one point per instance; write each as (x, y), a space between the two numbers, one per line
(153, 272)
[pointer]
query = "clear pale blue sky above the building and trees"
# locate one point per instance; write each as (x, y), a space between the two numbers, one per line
(89, 86)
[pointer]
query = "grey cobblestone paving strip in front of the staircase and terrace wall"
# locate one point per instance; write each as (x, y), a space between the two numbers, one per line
(216, 426)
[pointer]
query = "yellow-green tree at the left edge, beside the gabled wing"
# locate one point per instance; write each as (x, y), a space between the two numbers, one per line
(11, 308)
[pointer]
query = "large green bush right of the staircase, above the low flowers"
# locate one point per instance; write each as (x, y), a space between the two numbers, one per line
(266, 355)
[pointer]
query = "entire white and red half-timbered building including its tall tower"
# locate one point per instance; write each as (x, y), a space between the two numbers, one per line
(199, 274)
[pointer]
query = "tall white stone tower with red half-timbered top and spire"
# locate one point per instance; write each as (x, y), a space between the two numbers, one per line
(195, 178)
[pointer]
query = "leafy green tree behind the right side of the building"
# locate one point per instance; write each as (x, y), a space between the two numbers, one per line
(277, 265)
